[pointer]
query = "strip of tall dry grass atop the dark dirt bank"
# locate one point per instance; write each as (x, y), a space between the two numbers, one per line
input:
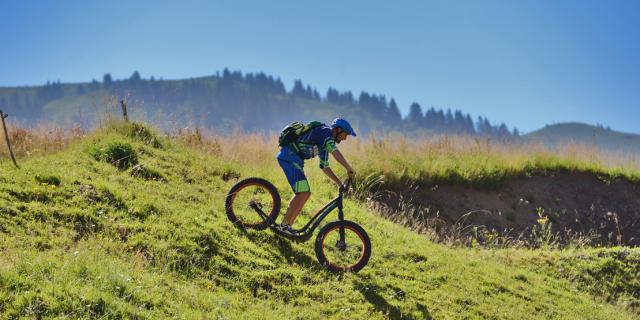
(465, 158)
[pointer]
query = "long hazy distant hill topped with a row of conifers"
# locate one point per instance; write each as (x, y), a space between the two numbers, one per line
(228, 101)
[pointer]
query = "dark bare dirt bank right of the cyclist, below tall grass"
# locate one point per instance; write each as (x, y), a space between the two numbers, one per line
(572, 202)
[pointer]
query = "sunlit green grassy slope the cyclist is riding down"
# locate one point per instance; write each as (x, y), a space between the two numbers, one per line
(83, 238)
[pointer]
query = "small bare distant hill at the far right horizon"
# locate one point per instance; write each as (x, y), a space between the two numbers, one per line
(582, 133)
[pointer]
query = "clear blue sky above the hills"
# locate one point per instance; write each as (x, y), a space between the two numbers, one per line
(525, 63)
